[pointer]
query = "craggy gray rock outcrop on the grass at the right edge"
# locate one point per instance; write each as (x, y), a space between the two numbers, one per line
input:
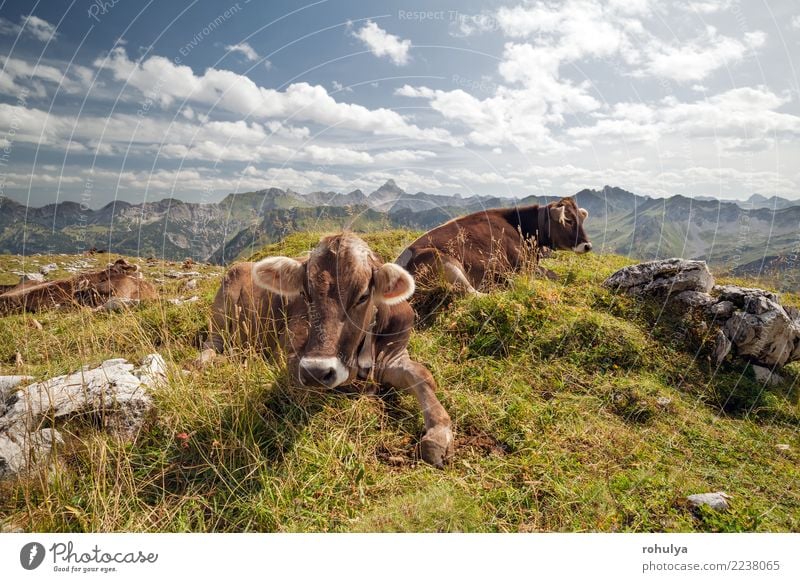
(751, 324)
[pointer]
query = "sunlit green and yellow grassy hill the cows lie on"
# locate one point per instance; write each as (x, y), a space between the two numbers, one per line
(572, 411)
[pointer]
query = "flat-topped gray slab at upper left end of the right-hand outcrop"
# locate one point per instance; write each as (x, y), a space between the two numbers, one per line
(662, 278)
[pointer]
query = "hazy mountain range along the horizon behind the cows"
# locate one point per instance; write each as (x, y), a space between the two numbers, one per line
(744, 237)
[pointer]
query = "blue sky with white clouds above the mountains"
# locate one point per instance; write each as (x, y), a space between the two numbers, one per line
(139, 101)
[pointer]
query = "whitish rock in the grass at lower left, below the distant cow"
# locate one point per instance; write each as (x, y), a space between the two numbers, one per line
(116, 392)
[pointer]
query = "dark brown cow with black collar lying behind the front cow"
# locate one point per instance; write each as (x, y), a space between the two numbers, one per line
(468, 251)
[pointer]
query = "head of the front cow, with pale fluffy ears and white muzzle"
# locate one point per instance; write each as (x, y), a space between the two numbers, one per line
(341, 282)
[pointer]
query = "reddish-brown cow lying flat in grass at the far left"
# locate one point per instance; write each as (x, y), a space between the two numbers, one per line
(120, 279)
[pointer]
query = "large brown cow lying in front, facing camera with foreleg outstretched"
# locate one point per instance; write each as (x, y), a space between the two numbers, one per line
(338, 314)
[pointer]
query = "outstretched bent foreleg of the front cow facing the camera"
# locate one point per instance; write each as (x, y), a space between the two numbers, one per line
(406, 374)
